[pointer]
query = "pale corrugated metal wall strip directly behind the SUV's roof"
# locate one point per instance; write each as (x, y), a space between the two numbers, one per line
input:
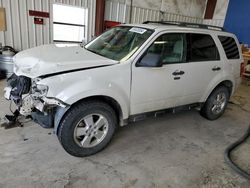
(120, 12)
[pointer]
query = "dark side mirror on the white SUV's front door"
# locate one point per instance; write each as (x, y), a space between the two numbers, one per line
(150, 60)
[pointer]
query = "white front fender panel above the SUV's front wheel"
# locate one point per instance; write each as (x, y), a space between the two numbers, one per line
(76, 86)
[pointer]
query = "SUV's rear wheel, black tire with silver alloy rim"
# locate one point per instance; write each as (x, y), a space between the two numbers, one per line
(216, 103)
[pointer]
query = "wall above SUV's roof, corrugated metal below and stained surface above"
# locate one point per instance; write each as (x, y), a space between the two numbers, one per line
(171, 10)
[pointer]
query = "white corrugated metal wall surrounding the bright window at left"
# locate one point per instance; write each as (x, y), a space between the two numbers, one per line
(21, 31)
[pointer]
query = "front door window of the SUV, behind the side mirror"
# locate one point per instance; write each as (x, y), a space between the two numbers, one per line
(170, 48)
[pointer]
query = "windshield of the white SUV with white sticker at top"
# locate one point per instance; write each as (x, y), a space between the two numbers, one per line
(119, 43)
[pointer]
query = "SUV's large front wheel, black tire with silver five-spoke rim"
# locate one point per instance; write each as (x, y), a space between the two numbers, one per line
(87, 128)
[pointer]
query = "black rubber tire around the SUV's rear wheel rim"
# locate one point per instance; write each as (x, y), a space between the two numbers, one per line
(207, 110)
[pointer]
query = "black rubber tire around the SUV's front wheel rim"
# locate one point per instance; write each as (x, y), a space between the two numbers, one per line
(75, 117)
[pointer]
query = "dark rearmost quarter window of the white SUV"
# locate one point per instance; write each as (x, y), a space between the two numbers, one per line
(230, 47)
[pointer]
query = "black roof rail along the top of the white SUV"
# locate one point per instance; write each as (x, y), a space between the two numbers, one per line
(186, 24)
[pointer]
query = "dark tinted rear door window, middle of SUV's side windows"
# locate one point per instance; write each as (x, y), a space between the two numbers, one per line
(202, 47)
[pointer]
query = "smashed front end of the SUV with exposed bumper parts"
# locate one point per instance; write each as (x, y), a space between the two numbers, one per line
(31, 100)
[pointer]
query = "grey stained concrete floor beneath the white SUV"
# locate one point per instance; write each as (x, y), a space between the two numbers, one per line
(177, 150)
